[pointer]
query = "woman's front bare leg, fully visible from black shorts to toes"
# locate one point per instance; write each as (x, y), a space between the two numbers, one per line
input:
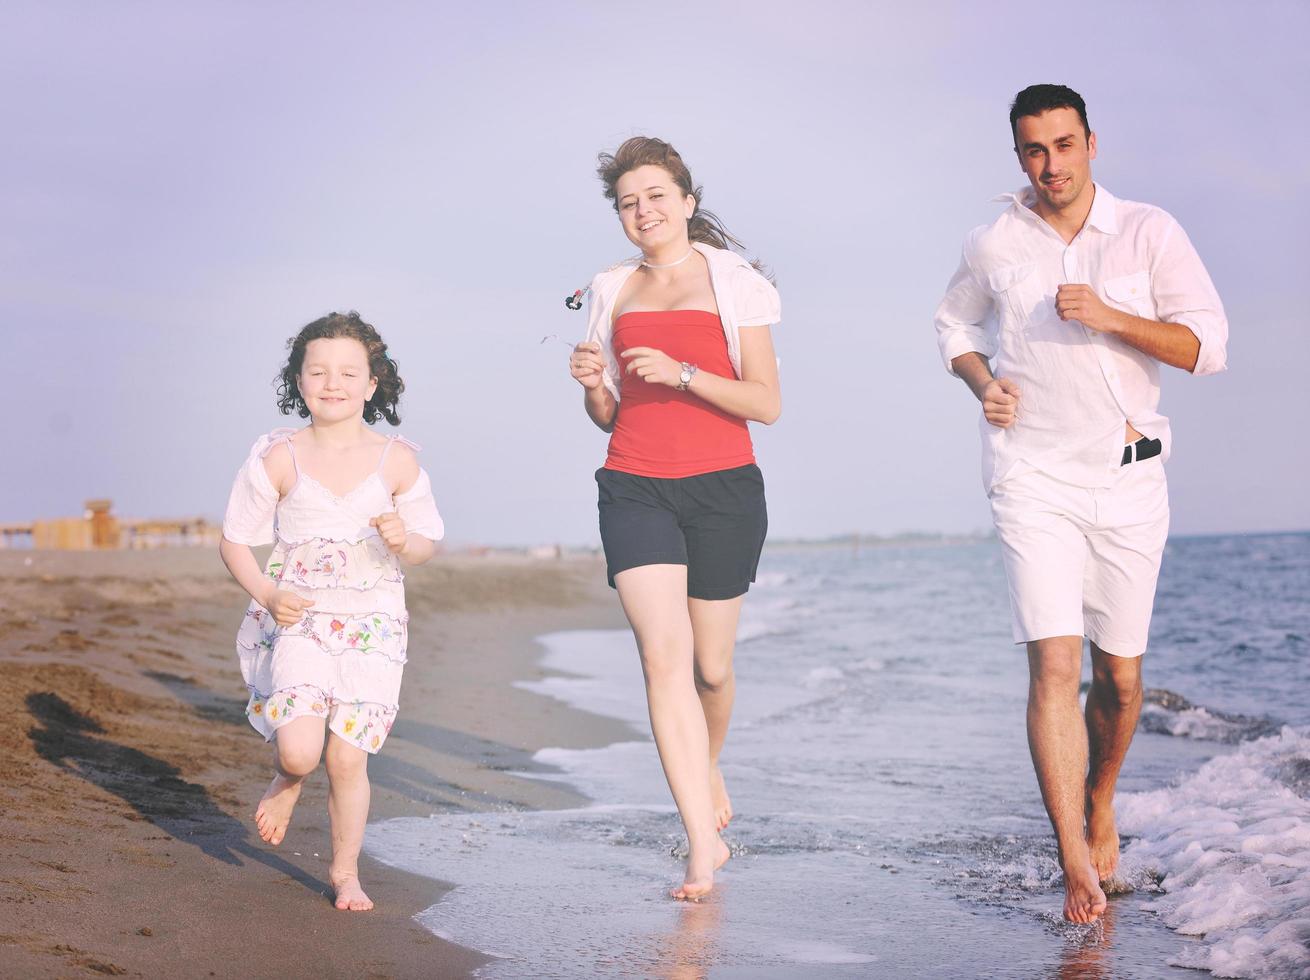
(654, 599)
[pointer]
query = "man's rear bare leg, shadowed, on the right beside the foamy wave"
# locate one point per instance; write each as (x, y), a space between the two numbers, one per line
(1114, 704)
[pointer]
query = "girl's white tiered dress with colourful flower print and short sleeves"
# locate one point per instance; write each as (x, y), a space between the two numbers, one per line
(345, 658)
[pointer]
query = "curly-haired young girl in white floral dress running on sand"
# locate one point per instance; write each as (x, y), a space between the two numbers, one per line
(323, 644)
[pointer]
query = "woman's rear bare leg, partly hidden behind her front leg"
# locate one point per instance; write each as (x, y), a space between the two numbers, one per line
(715, 631)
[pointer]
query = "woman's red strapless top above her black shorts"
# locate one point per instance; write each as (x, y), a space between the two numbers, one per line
(662, 432)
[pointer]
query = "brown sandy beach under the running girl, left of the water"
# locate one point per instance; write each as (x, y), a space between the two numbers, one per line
(129, 774)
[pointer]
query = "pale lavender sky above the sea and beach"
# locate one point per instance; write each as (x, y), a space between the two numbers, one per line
(183, 187)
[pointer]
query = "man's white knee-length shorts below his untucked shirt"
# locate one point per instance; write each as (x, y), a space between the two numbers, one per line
(1084, 561)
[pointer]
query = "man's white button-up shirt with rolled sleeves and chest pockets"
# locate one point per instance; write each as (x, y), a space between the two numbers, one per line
(1077, 386)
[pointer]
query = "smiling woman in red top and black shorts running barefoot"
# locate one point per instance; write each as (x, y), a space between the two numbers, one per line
(678, 358)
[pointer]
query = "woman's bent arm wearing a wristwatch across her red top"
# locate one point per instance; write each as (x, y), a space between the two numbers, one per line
(757, 398)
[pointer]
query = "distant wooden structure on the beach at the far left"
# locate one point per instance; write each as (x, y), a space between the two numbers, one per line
(100, 530)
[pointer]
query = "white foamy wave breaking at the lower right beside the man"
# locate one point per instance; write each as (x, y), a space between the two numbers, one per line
(1232, 848)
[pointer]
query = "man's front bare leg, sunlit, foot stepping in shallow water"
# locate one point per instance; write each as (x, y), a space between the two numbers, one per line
(1058, 740)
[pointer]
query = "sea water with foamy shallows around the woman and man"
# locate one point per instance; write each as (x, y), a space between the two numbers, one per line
(888, 818)
